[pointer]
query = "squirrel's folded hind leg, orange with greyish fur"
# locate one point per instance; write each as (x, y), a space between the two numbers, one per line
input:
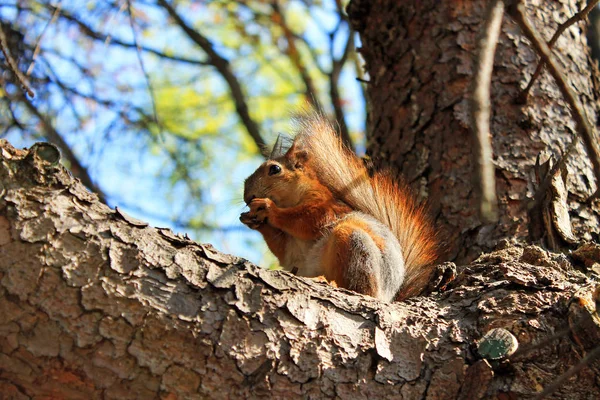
(351, 257)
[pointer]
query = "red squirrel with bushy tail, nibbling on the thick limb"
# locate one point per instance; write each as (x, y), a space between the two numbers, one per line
(322, 214)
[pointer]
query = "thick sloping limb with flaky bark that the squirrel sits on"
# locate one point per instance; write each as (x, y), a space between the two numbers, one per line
(95, 304)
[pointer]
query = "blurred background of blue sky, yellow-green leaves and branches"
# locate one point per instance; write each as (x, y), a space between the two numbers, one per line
(163, 105)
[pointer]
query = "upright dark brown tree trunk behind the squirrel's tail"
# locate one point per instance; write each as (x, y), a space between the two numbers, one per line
(419, 58)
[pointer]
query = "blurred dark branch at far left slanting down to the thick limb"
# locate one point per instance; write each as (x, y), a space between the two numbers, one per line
(55, 137)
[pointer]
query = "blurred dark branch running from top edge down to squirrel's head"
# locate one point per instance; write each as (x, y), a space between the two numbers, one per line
(222, 66)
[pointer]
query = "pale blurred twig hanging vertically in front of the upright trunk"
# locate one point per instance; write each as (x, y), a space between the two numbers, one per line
(480, 112)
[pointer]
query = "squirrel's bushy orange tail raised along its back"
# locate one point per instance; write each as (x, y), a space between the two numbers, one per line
(379, 196)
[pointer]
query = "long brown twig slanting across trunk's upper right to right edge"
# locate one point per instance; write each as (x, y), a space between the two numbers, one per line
(584, 128)
